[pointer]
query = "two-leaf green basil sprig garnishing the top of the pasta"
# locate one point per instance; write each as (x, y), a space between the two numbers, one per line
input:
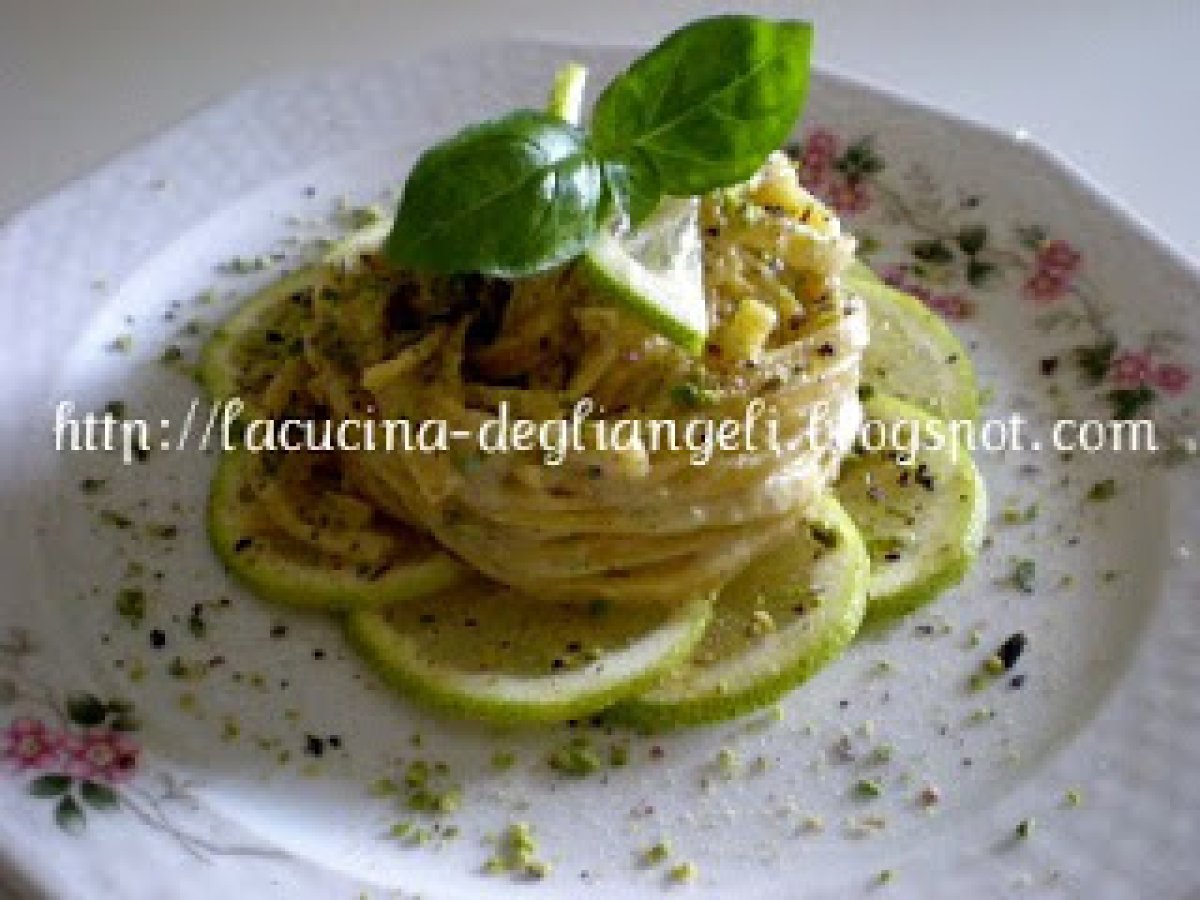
(527, 193)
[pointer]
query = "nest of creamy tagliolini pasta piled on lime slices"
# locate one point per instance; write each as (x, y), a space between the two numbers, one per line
(639, 523)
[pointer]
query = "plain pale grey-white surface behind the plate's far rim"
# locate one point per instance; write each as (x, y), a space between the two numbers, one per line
(1113, 85)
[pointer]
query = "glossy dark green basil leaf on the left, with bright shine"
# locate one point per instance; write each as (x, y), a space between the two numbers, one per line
(509, 199)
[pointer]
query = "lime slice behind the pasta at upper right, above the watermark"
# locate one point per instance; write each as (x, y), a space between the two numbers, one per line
(913, 355)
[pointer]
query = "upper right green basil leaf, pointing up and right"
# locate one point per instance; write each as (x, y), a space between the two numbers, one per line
(707, 106)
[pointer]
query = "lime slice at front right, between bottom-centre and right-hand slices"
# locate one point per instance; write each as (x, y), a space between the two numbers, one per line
(784, 617)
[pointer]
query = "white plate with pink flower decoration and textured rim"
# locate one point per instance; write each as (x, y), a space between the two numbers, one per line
(1109, 704)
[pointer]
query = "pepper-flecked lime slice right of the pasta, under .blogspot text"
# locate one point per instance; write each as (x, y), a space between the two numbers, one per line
(922, 519)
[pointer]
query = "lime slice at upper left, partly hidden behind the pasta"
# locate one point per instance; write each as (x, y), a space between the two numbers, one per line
(267, 332)
